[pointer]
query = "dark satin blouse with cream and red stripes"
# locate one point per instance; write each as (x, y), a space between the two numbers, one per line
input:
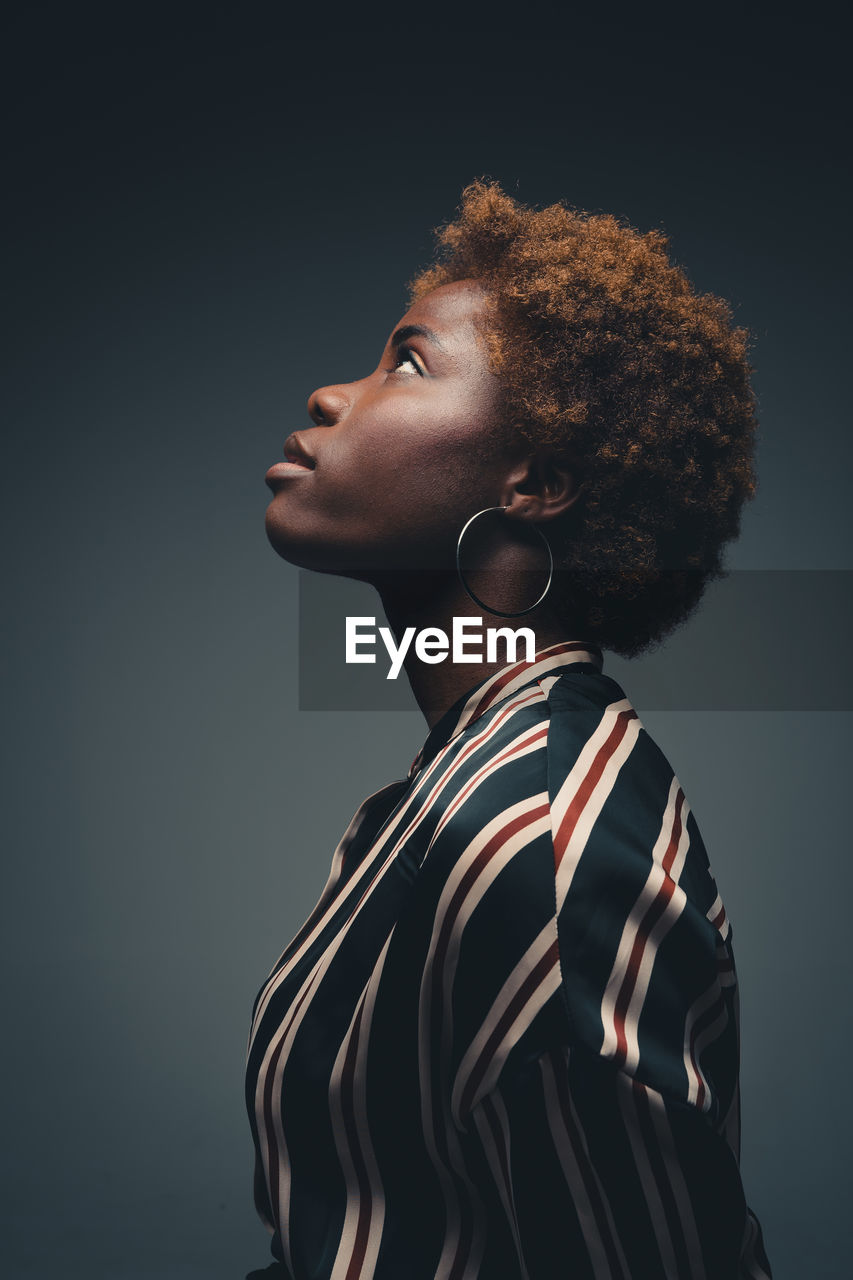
(505, 1043)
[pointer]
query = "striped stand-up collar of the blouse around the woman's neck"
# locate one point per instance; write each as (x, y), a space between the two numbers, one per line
(504, 684)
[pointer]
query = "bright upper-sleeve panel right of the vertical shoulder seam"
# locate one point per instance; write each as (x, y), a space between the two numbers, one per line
(645, 947)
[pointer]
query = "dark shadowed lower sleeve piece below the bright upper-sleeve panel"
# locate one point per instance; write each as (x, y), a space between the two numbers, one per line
(595, 1174)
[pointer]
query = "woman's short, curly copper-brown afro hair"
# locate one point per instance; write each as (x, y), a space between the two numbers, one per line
(609, 355)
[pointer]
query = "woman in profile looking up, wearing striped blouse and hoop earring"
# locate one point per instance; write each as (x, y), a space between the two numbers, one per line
(505, 1044)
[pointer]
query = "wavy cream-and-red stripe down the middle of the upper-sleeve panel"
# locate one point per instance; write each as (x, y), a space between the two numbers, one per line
(656, 879)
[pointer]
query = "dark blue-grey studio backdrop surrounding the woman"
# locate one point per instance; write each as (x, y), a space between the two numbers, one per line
(211, 213)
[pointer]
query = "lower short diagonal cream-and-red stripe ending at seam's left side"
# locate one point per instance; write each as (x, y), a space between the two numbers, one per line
(546, 989)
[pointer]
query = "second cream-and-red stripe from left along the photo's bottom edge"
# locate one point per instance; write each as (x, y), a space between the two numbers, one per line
(348, 1244)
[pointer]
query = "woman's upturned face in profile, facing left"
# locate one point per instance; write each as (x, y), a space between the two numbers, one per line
(402, 459)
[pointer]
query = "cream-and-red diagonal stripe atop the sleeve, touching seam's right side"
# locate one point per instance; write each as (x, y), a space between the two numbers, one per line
(574, 783)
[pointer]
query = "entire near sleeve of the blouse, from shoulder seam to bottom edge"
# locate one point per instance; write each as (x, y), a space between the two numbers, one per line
(609, 1144)
